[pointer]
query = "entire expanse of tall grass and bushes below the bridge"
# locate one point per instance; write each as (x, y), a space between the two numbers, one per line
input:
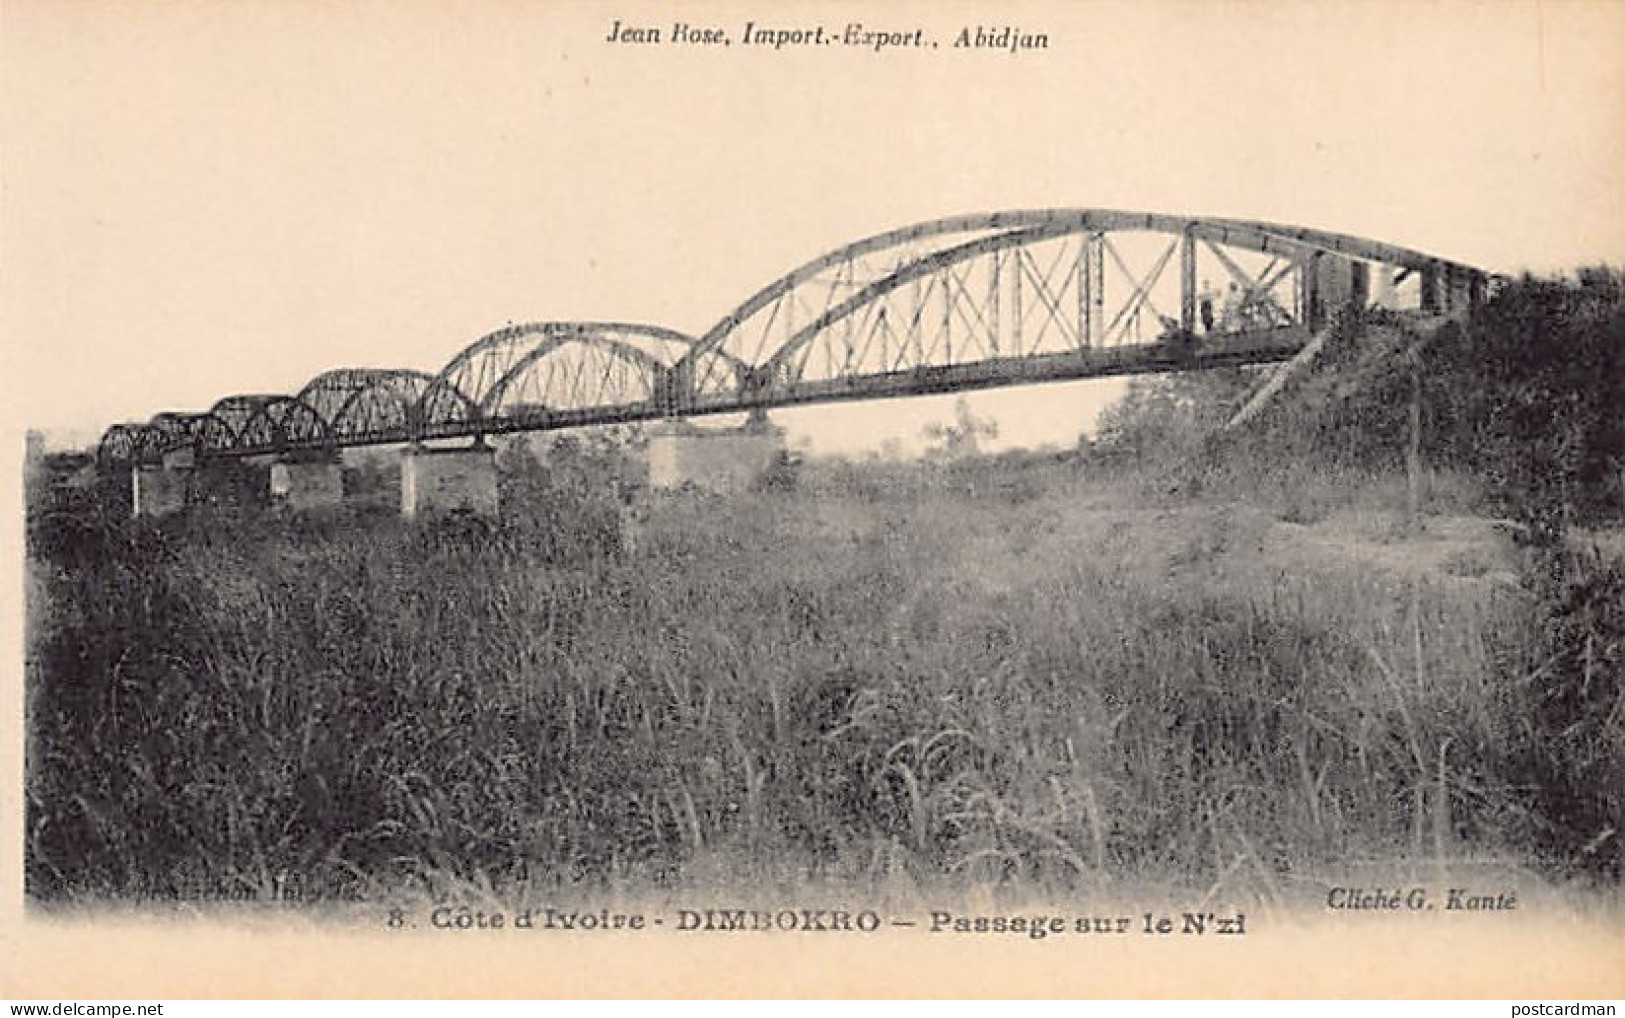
(1059, 674)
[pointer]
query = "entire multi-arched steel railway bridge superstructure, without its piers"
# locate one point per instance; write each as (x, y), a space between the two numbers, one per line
(953, 305)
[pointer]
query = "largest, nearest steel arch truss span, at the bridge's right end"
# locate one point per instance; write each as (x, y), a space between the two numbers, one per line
(1049, 294)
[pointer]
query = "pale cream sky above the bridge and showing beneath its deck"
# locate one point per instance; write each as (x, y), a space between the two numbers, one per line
(206, 199)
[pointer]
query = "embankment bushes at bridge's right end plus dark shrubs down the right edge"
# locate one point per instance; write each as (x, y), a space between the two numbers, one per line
(1515, 414)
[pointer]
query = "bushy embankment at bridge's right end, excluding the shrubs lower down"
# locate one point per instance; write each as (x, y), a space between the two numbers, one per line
(1525, 402)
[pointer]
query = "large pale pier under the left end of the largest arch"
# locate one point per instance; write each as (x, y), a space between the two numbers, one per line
(717, 459)
